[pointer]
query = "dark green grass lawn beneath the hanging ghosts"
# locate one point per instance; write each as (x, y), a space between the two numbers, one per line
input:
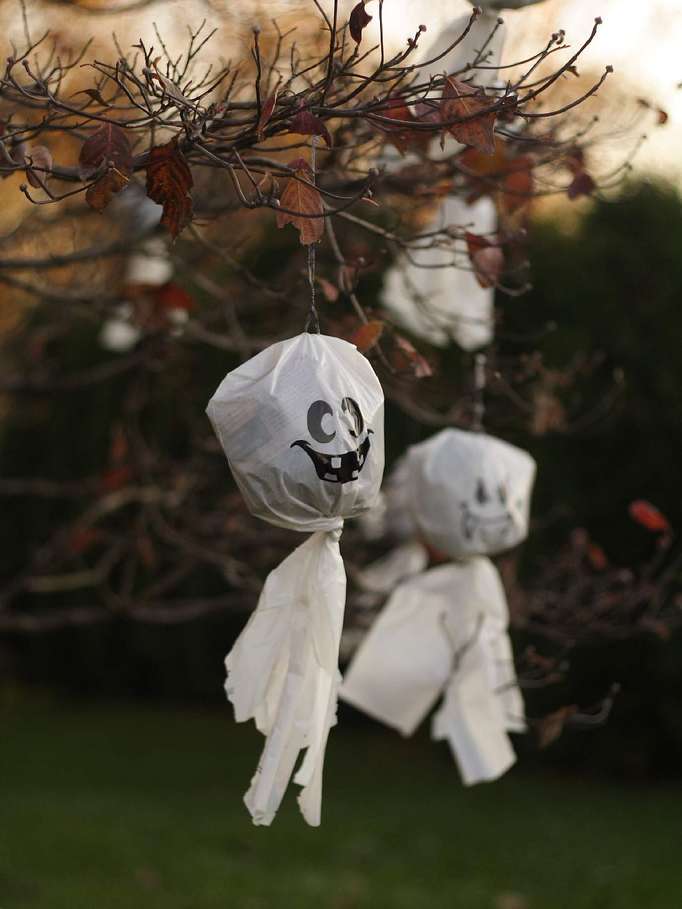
(129, 807)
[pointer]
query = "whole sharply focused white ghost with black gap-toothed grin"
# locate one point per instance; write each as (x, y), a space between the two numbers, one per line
(301, 425)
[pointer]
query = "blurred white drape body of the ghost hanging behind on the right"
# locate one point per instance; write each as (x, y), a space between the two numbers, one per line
(444, 633)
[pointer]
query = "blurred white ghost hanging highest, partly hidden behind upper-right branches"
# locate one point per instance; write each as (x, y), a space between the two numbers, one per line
(434, 292)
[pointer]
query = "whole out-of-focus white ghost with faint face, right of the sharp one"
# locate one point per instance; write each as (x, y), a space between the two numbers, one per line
(443, 632)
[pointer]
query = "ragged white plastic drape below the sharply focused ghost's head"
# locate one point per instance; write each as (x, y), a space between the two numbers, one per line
(283, 673)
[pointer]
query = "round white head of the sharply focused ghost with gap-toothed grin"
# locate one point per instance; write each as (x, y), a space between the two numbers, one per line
(302, 427)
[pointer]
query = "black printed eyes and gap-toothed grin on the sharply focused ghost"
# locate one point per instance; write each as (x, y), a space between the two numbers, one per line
(324, 425)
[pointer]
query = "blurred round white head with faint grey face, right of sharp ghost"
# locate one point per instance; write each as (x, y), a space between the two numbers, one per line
(470, 492)
